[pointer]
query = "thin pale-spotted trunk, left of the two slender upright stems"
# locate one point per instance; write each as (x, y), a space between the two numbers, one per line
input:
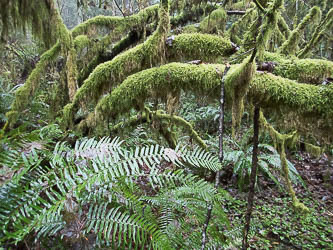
(221, 156)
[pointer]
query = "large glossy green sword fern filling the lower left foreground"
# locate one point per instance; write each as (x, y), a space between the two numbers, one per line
(100, 193)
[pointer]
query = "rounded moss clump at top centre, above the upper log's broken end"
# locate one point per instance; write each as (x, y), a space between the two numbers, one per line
(214, 22)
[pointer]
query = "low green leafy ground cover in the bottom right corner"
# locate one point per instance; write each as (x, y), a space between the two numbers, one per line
(274, 224)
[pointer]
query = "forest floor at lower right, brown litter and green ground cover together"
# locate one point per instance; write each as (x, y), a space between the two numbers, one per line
(275, 225)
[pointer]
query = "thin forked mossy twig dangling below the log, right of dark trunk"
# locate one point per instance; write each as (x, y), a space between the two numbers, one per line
(279, 143)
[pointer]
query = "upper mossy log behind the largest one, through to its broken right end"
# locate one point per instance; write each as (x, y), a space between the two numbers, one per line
(189, 46)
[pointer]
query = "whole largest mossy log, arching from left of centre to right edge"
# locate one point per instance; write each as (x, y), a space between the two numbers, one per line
(266, 90)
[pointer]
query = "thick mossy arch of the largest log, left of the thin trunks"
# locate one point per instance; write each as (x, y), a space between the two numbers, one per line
(157, 82)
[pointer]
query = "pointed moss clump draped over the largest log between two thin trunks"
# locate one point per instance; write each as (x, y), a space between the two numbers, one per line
(237, 83)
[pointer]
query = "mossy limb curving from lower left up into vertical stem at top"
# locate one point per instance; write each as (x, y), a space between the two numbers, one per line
(140, 57)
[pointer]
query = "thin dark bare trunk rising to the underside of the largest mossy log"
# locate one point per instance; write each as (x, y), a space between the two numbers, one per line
(253, 176)
